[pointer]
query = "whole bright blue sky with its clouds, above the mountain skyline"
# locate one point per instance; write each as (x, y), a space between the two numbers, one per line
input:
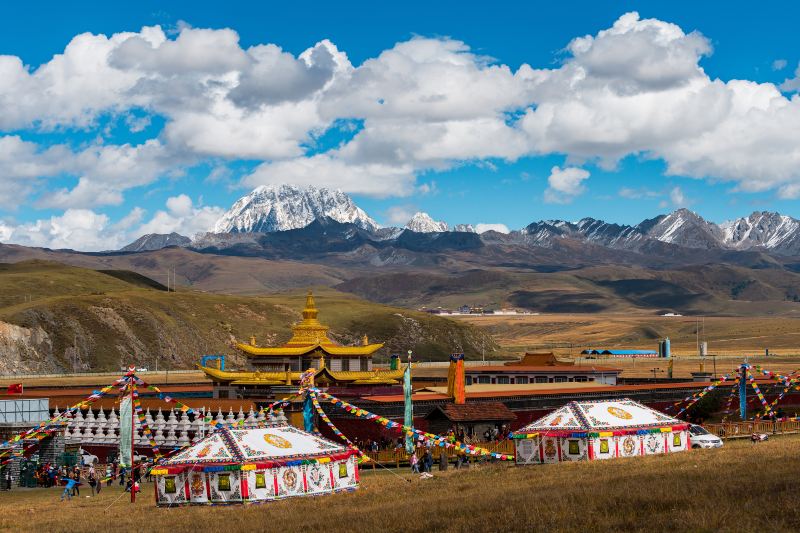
(446, 108)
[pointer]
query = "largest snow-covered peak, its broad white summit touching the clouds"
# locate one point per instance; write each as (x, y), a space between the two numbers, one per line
(285, 207)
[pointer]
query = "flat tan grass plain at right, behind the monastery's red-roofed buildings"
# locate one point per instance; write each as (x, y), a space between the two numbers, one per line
(730, 340)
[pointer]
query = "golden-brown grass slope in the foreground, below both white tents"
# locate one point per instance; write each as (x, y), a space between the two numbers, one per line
(739, 487)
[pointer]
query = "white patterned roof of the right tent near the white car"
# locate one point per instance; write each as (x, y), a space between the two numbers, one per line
(601, 415)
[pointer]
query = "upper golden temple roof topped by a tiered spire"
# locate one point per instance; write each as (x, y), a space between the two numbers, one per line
(307, 336)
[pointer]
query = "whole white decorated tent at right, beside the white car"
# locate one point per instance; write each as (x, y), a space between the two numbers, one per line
(602, 429)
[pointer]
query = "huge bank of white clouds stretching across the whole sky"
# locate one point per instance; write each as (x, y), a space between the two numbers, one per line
(422, 105)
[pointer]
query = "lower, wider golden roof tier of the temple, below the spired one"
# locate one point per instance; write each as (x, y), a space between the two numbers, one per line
(378, 376)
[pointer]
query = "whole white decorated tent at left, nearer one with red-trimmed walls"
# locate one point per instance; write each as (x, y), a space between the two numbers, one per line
(255, 464)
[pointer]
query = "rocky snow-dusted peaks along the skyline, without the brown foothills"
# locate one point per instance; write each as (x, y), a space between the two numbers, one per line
(283, 208)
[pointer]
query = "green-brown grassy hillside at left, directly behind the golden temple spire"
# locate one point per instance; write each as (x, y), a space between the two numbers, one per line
(105, 321)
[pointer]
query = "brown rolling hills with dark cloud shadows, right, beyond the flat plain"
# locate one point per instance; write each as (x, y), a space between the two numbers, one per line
(711, 289)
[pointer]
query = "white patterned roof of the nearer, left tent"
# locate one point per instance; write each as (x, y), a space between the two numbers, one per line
(250, 444)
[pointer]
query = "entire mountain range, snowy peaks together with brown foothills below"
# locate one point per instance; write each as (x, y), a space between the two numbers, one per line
(289, 238)
